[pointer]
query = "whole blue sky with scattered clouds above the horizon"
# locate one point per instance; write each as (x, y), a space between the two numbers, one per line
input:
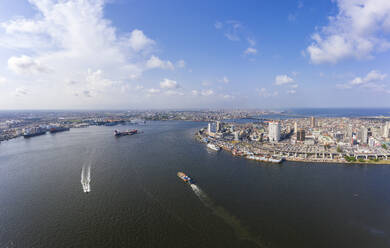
(174, 54)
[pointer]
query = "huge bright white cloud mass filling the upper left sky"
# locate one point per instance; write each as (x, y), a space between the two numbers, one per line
(71, 41)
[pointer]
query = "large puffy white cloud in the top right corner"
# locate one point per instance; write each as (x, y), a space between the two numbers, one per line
(358, 30)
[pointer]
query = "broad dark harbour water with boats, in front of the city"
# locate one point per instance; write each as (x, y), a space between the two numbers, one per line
(136, 199)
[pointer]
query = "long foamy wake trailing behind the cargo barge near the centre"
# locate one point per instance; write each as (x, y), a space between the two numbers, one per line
(229, 219)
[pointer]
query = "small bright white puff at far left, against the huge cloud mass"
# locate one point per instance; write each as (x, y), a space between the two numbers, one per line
(26, 64)
